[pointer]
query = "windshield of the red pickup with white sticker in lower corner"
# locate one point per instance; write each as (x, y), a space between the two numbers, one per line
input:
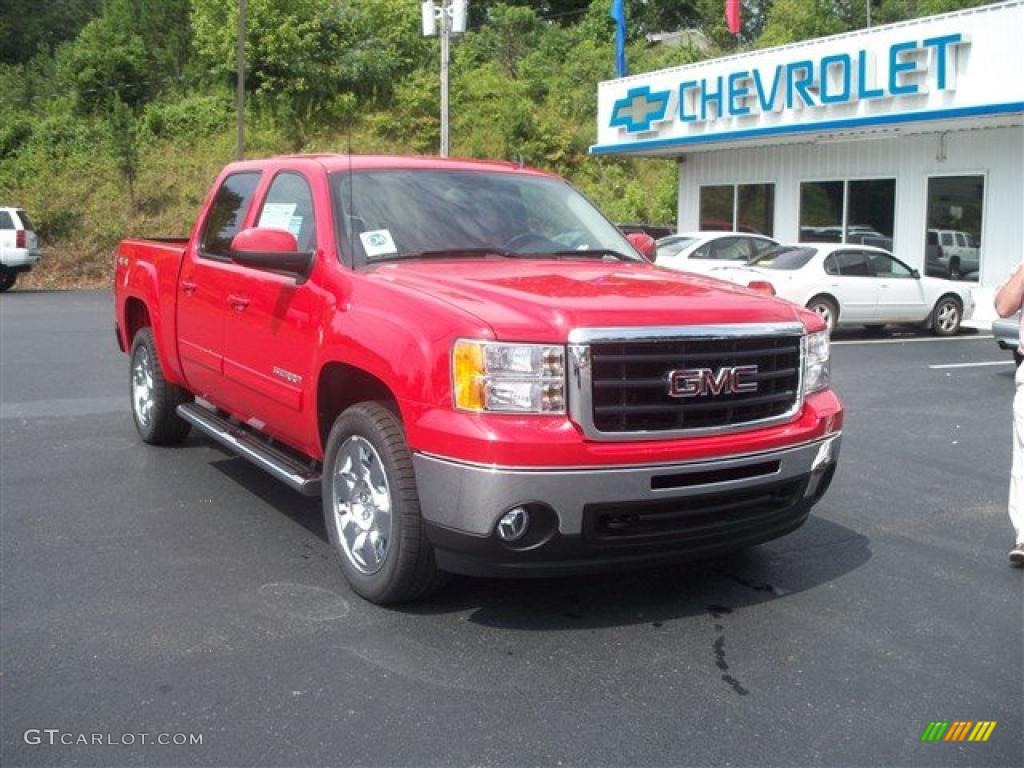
(419, 214)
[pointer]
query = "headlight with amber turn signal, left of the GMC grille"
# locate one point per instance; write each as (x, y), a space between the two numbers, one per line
(508, 378)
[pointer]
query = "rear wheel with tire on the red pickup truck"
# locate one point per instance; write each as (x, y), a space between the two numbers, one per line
(160, 424)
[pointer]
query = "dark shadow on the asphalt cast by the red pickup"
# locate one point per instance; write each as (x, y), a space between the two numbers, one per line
(816, 554)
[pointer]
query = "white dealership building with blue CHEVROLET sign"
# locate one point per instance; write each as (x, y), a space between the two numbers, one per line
(909, 137)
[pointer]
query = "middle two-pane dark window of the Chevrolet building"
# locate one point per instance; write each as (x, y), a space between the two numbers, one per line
(862, 211)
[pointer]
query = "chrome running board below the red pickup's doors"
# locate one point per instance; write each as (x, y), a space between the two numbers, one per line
(247, 444)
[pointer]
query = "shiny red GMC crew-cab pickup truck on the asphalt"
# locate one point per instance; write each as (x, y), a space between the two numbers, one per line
(476, 370)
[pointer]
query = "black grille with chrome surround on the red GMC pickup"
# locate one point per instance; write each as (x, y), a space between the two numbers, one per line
(620, 379)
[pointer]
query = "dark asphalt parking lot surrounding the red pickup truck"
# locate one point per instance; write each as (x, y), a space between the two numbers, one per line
(183, 591)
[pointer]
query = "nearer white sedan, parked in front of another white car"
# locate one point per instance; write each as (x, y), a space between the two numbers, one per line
(851, 285)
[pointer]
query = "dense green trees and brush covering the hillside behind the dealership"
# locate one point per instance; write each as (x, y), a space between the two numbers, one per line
(116, 115)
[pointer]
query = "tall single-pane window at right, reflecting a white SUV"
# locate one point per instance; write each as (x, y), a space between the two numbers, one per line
(953, 240)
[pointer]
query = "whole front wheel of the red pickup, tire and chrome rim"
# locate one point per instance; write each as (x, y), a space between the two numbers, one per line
(371, 508)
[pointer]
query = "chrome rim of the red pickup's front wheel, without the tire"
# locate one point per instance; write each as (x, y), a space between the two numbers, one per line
(362, 504)
